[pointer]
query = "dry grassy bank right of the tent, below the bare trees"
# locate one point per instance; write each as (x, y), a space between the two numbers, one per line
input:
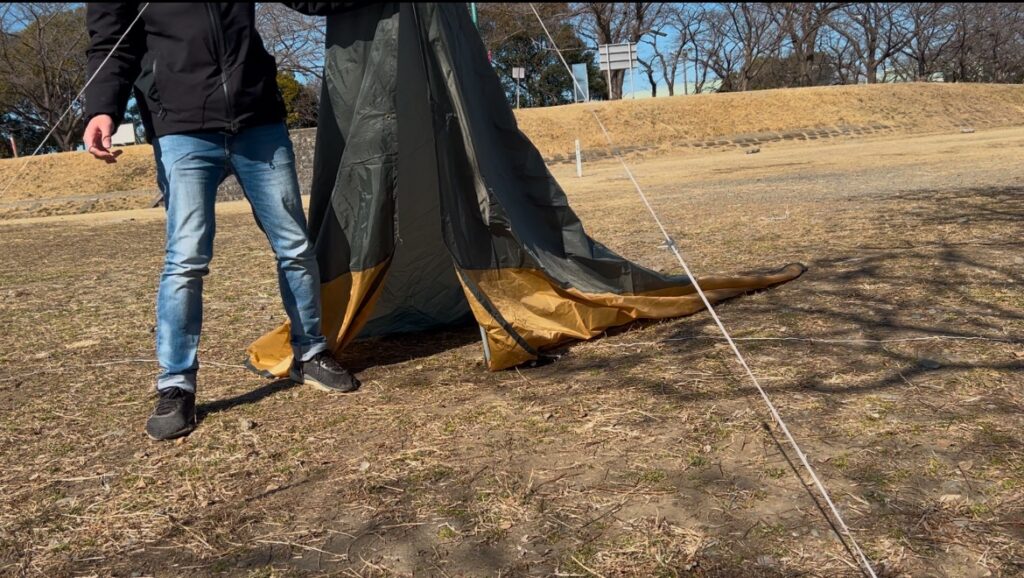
(669, 122)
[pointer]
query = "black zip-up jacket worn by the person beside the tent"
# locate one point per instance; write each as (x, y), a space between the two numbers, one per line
(194, 66)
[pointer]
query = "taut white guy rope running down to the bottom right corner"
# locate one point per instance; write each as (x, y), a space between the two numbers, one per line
(863, 559)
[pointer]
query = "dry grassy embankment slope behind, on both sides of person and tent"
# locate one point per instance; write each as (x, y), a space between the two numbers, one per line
(663, 122)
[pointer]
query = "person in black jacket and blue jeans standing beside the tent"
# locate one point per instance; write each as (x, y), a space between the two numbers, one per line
(210, 103)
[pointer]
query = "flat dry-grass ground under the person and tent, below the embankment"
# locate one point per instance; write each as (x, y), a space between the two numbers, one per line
(897, 361)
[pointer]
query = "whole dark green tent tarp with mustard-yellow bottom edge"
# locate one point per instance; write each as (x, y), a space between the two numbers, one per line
(429, 205)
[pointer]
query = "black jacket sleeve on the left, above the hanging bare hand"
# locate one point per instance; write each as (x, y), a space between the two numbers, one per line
(109, 92)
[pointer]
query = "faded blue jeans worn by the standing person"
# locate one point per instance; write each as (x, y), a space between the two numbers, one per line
(190, 168)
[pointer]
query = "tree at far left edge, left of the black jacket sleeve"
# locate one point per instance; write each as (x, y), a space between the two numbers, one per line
(42, 69)
